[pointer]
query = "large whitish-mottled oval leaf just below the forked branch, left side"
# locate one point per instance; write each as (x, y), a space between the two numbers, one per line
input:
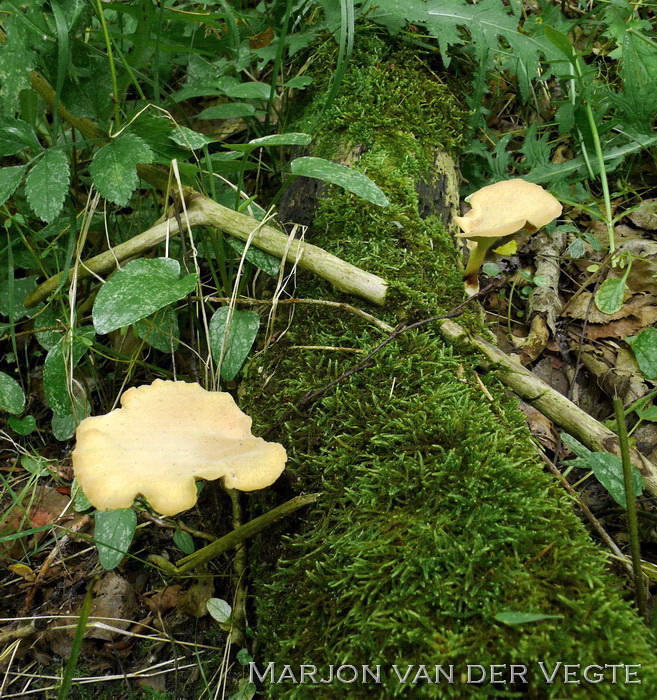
(138, 290)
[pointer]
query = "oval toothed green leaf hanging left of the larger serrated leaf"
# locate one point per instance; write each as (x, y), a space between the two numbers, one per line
(47, 183)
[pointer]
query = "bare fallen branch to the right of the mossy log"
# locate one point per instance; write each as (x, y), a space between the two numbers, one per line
(550, 402)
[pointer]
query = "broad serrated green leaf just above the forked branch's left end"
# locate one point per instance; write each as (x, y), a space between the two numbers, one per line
(114, 167)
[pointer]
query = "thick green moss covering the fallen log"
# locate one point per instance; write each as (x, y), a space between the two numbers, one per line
(435, 514)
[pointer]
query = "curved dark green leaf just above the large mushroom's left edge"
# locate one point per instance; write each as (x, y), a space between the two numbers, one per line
(60, 360)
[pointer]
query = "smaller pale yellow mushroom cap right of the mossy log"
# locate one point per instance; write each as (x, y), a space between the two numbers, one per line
(506, 207)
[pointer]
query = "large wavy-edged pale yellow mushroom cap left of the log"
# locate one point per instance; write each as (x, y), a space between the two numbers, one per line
(165, 437)
